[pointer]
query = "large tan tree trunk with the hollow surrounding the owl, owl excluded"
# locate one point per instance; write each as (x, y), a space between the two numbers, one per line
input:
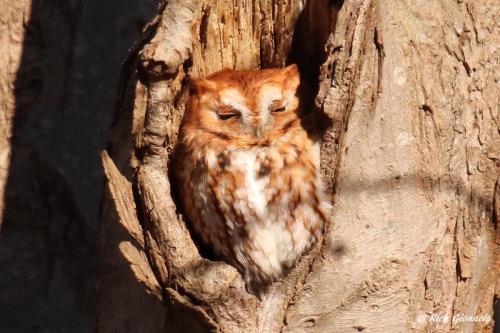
(410, 158)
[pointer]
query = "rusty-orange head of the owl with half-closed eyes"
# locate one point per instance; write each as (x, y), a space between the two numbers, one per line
(244, 107)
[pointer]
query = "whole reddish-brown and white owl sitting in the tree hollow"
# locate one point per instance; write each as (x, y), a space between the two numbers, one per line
(248, 172)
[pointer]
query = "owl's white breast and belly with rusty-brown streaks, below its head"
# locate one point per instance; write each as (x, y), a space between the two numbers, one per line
(259, 208)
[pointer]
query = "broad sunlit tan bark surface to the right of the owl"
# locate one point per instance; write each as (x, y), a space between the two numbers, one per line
(416, 177)
